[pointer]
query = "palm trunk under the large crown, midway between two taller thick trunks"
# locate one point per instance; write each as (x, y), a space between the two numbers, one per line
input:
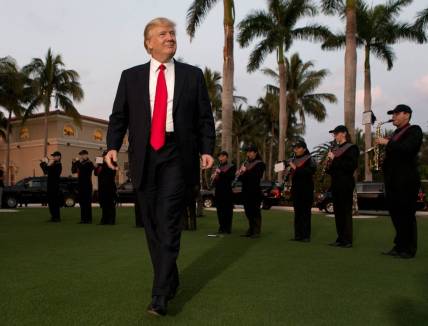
(283, 116)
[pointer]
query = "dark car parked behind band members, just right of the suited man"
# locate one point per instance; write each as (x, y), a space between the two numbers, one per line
(271, 191)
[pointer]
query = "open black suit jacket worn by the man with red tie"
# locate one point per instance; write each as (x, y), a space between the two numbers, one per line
(193, 119)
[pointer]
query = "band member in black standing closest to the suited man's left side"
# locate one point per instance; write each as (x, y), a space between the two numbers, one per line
(106, 192)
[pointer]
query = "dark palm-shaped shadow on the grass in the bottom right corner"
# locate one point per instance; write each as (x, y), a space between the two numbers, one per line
(408, 311)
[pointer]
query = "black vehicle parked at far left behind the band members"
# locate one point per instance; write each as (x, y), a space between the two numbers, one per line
(33, 190)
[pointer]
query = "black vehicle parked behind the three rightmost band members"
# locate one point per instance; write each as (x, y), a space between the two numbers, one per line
(370, 195)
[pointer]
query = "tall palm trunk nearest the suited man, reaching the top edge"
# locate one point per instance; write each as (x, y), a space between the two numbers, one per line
(228, 70)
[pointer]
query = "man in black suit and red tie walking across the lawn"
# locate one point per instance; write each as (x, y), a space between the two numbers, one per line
(164, 105)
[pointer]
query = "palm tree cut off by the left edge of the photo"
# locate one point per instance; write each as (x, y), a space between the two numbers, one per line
(13, 94)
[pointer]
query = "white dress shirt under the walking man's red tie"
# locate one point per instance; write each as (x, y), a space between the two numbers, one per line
(170, 81)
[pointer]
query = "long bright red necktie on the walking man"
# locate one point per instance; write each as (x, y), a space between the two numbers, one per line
(157, 134)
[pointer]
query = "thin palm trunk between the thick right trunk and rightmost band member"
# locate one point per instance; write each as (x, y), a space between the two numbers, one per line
(367, 108)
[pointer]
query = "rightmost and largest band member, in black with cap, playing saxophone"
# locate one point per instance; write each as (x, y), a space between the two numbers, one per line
(402, 181)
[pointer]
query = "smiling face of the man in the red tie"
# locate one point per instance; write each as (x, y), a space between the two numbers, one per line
(162, 42)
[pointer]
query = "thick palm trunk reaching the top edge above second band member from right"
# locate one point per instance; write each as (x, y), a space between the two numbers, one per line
(350, 67)
